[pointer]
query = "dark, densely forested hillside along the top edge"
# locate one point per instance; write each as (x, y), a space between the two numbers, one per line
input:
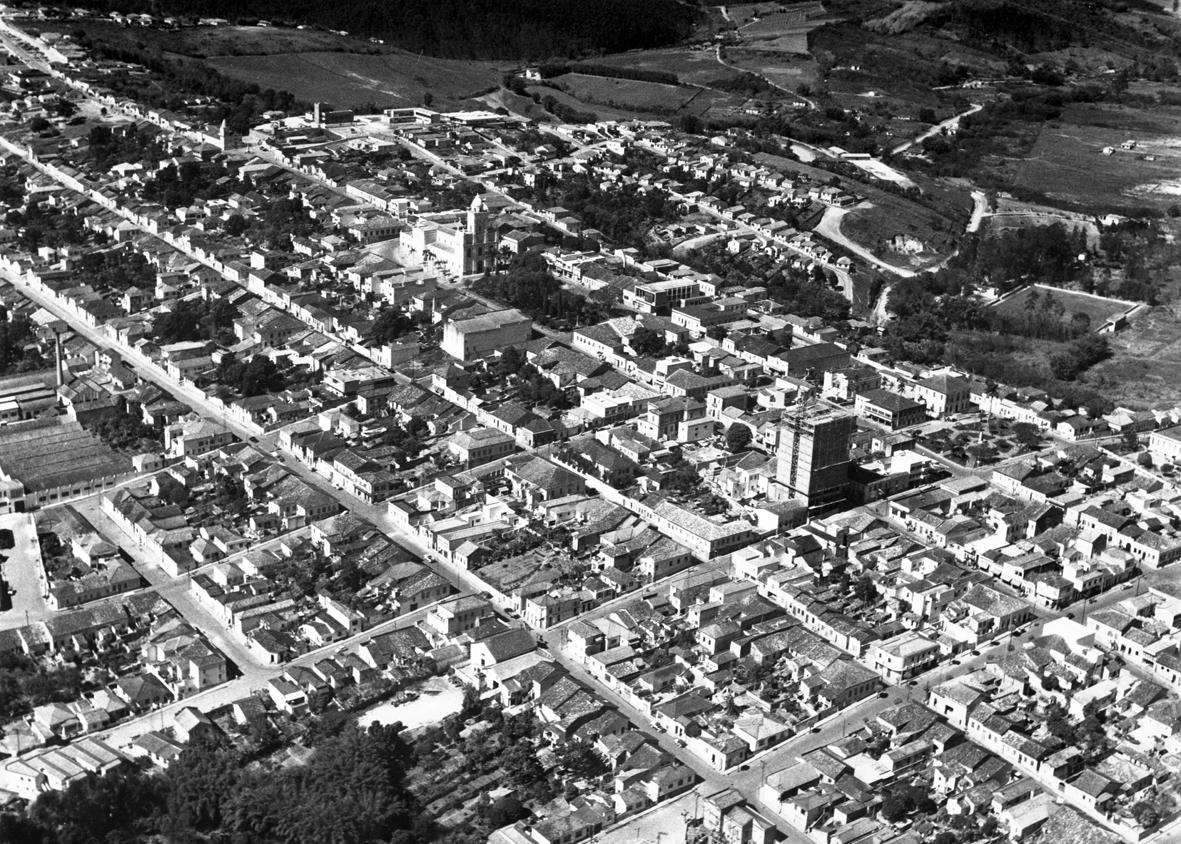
(460, 29)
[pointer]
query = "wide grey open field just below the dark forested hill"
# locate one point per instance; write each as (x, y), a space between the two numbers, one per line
(347, 80)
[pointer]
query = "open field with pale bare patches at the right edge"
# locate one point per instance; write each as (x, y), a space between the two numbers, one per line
(1067, 162)
